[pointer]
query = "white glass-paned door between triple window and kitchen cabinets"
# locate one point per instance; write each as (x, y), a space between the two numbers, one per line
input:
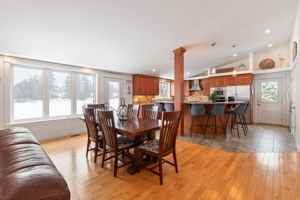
(113, 92)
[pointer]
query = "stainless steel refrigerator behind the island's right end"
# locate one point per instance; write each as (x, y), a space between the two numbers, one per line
(240, 93)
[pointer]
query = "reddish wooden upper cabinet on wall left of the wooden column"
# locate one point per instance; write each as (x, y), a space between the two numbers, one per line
(145, 85)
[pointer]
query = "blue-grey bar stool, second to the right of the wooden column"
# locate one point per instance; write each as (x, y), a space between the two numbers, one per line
(217, 111)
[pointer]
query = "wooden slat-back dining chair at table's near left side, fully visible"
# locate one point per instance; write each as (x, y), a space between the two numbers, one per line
(112, 142)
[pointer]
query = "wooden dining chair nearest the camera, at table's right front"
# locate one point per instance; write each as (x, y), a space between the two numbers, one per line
(165, 145)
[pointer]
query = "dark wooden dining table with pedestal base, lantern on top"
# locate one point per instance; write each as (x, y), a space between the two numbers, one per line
(135, 129)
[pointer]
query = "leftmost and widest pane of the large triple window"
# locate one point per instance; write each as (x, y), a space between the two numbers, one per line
(27, 93)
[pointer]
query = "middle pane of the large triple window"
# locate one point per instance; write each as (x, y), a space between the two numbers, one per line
(60, 93)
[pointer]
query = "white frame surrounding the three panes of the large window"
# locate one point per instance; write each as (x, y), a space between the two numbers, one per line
(45, 81)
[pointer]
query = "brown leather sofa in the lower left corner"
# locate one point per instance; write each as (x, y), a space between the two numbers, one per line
(26, 172)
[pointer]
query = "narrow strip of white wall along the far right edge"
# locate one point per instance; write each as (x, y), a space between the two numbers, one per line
(295, 83)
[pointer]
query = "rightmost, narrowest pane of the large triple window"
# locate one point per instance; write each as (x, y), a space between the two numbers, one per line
(85, 91)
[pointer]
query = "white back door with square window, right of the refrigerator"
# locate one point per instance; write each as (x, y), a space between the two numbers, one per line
(269, 101)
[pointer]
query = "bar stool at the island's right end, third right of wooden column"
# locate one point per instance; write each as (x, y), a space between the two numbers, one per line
(238, 113)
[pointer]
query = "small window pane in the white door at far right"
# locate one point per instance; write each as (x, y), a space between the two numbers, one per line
(269, 91)
